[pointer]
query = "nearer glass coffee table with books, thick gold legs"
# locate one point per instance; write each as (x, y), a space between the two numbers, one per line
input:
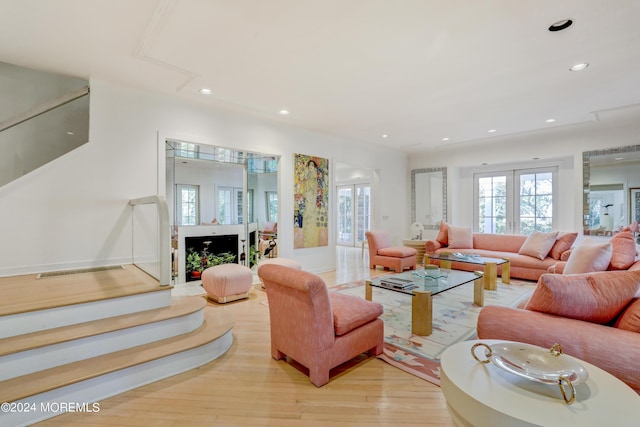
(423, 289)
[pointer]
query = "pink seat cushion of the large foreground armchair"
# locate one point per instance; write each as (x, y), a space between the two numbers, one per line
(351, 312)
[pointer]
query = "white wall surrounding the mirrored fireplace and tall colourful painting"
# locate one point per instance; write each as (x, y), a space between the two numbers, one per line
(73, 212)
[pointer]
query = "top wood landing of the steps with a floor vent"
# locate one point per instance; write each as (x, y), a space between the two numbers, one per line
(27, 293)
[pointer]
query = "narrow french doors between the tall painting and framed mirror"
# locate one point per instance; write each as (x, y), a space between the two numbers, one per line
(354, 213)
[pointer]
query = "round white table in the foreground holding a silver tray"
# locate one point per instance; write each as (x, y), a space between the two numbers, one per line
(485, 395)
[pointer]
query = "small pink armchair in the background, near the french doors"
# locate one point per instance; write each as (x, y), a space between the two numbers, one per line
(382, 253)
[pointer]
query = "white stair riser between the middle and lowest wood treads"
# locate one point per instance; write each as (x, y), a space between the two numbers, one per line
(38, 359)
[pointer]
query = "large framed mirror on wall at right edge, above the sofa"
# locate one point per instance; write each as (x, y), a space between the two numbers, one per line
(611, 180)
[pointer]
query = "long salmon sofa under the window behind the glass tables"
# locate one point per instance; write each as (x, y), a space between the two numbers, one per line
(509, 246)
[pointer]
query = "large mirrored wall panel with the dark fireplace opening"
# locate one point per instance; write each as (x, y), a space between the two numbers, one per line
(220, 198)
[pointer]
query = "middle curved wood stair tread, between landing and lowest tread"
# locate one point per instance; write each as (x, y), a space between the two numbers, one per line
(181, 306)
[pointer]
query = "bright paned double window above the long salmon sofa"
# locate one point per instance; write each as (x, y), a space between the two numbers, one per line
(515, 201)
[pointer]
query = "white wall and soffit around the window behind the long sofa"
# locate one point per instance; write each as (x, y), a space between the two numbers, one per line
(561, 146)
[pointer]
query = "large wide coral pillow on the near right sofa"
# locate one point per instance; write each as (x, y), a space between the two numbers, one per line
(593, 297)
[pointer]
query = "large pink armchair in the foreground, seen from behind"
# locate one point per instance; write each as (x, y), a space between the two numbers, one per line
(317, 328)
